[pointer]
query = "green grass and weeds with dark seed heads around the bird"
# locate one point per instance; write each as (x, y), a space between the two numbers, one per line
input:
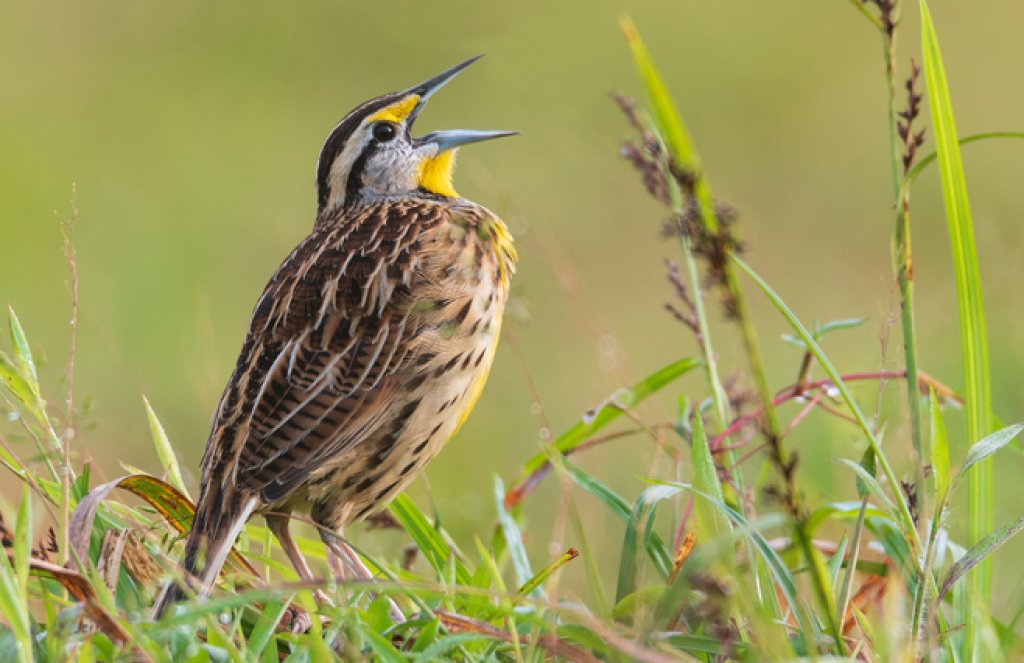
(724, 556)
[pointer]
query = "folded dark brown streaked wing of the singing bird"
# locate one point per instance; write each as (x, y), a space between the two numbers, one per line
(334, 329)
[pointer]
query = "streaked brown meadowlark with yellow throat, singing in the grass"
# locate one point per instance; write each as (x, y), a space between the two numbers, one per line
(368, 349)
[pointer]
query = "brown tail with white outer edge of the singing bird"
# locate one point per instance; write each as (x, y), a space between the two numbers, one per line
(216, 527)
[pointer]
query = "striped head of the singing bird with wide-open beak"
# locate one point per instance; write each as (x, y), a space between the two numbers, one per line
(372, 152)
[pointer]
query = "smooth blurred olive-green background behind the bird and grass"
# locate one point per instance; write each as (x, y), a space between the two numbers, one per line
(192, 131)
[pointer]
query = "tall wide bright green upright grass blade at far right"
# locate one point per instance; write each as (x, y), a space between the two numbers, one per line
(974, 345)
